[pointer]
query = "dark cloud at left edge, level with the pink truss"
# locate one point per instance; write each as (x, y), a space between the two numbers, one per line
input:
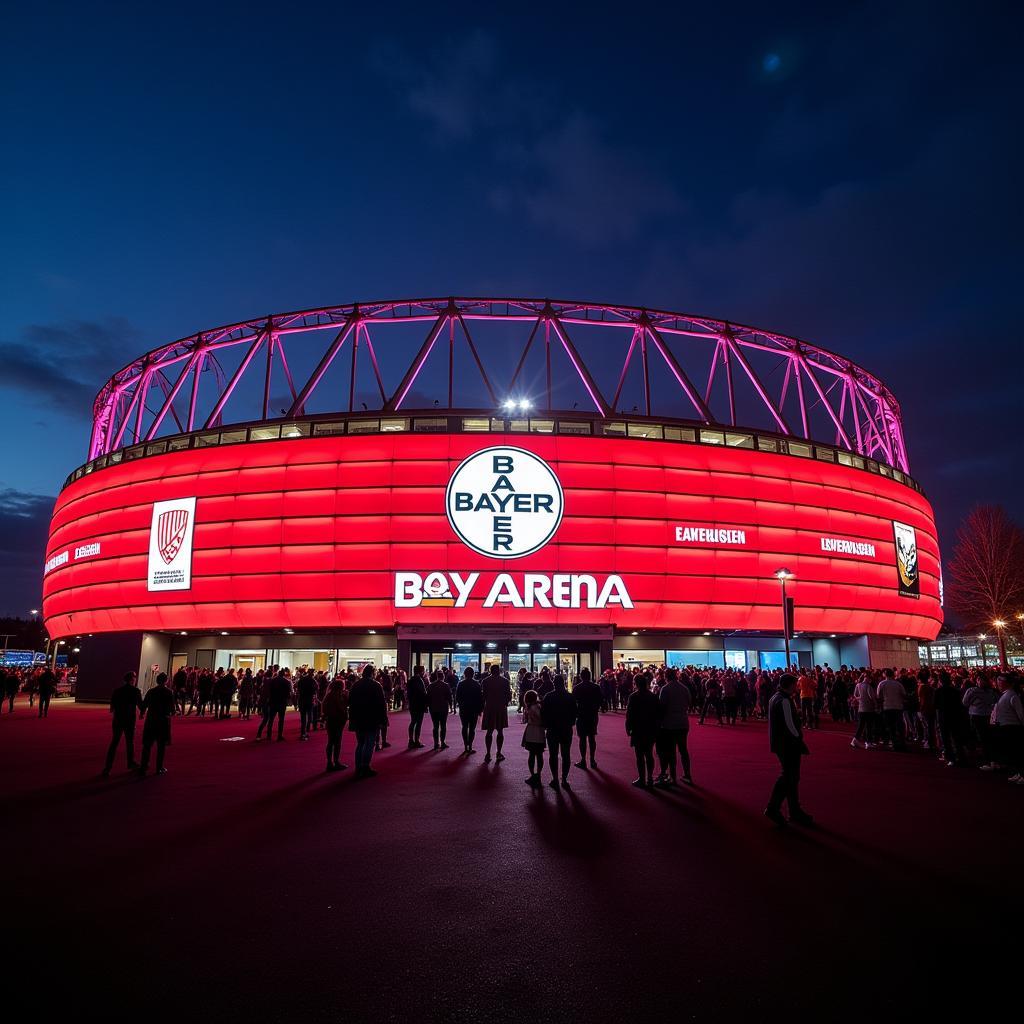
(38, 364)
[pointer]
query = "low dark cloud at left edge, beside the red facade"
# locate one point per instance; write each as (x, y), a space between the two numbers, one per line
(25, 522)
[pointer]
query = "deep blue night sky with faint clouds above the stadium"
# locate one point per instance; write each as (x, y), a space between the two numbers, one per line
(844, 174)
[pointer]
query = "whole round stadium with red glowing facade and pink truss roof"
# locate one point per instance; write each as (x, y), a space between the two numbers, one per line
(465, 481)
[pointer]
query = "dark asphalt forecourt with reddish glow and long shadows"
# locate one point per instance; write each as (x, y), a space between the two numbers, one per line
(248, 885)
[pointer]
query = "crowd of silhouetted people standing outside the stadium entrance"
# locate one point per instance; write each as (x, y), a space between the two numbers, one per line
(961, 716)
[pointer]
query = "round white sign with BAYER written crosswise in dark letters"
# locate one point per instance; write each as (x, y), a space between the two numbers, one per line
(504, 502)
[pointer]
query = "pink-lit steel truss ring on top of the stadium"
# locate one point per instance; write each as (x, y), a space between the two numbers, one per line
(714, 368)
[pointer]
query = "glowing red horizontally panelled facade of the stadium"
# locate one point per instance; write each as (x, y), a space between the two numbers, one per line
(340, 530)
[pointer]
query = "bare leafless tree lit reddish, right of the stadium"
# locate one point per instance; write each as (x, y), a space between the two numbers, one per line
(987, 572)
